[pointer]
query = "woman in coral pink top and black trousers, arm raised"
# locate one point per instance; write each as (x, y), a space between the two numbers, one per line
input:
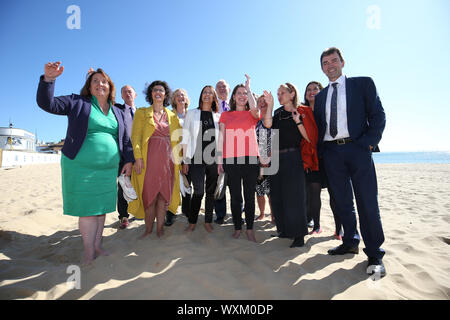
(238, 152)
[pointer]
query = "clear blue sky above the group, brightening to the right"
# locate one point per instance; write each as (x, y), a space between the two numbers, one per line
(403, 45)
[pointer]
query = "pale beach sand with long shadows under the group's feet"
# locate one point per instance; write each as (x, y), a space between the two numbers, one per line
(40, 249)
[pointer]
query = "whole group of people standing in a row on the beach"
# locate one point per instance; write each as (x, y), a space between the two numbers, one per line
(289, 155)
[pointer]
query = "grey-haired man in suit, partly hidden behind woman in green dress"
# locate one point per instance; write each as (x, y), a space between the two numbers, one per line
(129, 108)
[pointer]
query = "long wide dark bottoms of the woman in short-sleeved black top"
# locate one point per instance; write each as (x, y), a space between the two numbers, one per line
(288, 196)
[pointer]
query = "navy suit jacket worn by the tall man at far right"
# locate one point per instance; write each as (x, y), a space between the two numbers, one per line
(365, 114)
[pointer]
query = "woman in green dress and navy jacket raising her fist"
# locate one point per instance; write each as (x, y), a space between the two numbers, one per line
(96, 140)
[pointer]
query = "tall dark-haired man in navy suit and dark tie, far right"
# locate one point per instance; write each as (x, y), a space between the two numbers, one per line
(351, 120)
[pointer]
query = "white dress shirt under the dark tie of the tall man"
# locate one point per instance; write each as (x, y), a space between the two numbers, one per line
(341, 110)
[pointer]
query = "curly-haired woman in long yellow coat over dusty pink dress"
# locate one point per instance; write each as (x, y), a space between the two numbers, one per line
(155, 136)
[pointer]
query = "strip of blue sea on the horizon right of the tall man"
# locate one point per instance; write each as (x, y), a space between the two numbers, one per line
(412, 157)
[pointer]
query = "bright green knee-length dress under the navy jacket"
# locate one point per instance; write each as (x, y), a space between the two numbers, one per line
(89, 182)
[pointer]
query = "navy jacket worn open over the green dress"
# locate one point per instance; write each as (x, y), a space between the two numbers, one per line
(78, 110)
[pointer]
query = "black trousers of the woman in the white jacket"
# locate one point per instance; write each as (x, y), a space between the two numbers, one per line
(198, 173)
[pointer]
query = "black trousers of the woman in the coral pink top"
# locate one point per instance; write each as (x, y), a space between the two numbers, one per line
(242, 175)
